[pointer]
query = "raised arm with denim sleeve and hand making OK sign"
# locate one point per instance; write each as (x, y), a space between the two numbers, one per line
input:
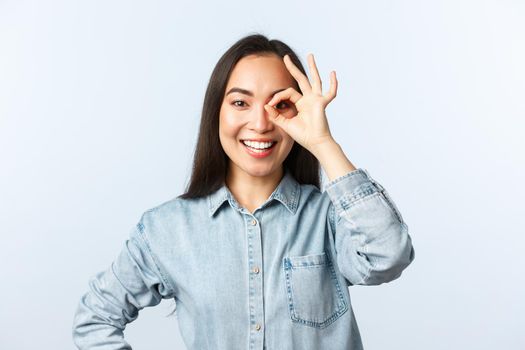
(372, 241)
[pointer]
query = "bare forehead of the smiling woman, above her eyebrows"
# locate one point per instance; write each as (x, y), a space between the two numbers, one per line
(260, 74)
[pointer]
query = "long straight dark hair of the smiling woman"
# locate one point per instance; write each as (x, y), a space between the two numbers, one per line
(210, 162)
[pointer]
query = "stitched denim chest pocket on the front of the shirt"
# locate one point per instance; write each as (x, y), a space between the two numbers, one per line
(315, 297)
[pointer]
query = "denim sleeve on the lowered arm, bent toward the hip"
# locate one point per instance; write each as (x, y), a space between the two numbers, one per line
(115, 296)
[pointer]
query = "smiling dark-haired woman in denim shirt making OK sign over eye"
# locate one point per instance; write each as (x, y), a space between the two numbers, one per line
(255, 256)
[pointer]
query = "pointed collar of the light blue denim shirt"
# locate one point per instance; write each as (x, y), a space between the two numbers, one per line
(287, 192)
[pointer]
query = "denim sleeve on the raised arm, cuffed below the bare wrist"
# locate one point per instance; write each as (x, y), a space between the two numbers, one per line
(371, 238)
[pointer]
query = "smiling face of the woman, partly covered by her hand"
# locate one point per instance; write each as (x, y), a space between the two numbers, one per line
(253, 82)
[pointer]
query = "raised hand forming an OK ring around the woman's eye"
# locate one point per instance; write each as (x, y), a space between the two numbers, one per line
(310, 126)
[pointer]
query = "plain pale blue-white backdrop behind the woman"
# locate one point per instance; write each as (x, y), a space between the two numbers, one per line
(99, 110)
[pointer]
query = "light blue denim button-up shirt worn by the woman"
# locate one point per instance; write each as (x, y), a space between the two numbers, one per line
(273, 279)
